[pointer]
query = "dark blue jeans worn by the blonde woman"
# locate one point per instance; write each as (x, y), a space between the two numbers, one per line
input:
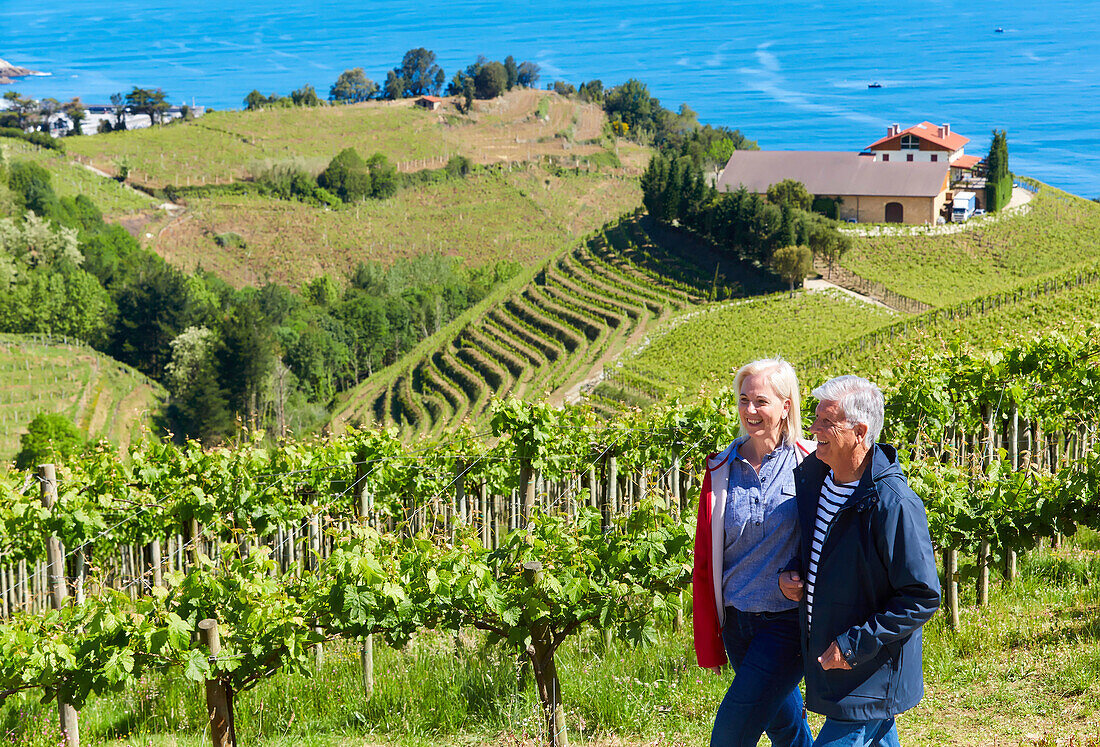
(764, 649)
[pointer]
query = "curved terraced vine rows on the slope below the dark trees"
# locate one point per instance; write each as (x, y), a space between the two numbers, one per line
(548, 339)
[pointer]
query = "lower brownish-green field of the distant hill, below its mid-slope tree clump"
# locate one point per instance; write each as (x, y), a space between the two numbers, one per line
(522, 215)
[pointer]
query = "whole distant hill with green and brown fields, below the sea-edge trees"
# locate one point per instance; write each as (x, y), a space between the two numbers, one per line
(549, 174)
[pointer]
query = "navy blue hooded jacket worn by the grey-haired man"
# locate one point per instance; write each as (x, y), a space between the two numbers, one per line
(876, 587)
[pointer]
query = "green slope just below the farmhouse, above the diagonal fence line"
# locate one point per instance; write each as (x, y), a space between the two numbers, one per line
(1061, 232)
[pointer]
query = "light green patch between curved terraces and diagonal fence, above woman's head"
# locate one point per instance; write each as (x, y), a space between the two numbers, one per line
(705, 348)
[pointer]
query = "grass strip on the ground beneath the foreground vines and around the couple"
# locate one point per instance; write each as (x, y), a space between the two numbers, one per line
(1025, 671)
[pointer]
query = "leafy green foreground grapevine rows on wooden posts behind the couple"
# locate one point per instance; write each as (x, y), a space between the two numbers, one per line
(547, 526)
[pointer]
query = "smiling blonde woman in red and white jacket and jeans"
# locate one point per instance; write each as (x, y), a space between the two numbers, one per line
(749, 530)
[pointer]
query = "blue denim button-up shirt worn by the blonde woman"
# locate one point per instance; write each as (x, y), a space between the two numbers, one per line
(762, 530)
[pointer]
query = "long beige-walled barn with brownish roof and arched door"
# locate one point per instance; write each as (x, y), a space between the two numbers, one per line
(870, 191)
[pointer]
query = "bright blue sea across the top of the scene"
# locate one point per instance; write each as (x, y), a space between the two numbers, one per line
(788, 74)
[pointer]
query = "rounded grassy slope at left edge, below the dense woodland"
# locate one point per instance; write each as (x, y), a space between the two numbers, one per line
(104, 398)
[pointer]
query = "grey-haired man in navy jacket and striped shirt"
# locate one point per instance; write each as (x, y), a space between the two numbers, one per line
(865, 575)
